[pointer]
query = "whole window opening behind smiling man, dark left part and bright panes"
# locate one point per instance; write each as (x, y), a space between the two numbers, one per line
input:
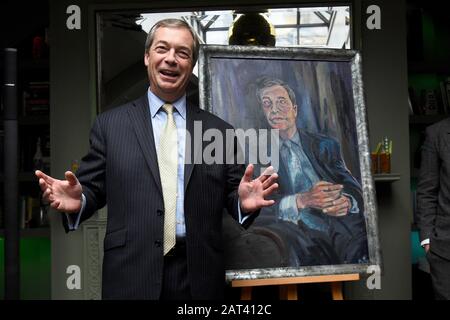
(326, 27)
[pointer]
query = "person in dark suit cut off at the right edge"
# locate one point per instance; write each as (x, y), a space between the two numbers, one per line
(433, 205)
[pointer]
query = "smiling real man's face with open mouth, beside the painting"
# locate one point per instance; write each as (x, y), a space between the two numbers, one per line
(169, 62)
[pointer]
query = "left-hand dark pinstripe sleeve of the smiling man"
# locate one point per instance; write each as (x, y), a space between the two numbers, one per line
(91, 175)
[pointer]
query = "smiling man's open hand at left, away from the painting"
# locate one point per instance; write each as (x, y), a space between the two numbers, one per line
(62, 195)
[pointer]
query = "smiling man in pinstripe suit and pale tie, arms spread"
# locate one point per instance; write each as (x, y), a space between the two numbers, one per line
(164, 229)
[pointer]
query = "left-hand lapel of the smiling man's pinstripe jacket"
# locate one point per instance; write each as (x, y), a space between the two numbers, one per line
(142, 124)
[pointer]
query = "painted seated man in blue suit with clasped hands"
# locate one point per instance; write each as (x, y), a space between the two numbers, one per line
(319, 208)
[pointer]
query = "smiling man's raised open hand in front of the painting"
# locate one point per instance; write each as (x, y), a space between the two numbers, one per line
(253, 193)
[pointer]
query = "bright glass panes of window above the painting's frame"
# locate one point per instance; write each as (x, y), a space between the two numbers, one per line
(327, 27)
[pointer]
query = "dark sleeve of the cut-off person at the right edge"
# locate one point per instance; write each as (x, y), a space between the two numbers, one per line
(428, 186)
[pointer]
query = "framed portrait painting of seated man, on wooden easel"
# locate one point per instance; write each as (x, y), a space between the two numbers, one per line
(306, 108)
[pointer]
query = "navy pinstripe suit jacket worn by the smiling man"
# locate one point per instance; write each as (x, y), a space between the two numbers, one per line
(121, 171)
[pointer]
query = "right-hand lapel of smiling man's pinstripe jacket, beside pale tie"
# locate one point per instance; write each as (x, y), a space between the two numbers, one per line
(193, 142)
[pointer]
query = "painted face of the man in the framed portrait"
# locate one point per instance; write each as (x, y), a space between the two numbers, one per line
(278, 108)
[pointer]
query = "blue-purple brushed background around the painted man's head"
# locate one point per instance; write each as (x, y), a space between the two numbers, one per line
(323, 90)
